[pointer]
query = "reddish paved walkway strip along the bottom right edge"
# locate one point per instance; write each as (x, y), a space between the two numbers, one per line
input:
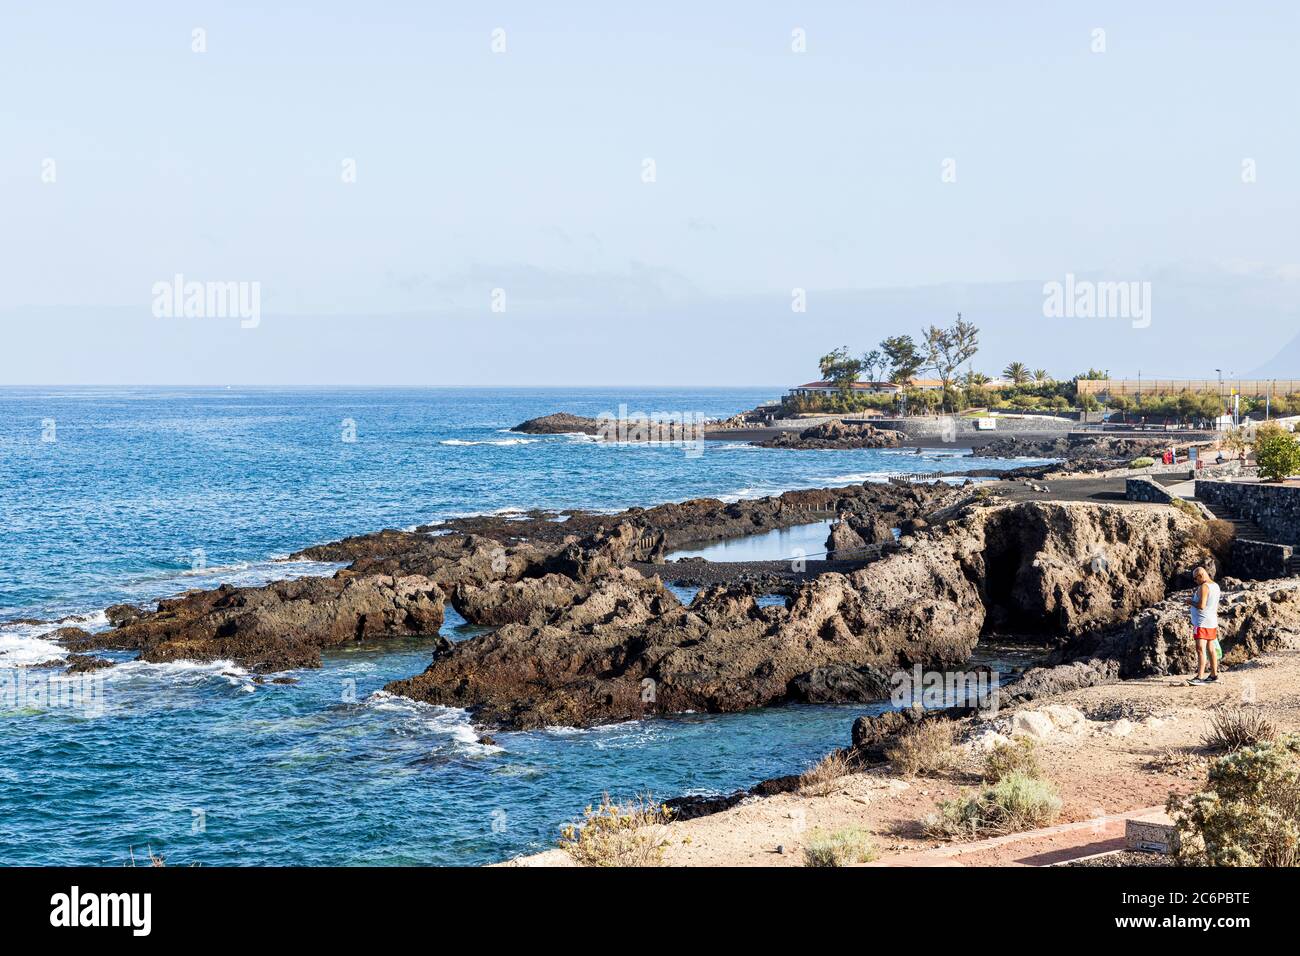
(1046, 847)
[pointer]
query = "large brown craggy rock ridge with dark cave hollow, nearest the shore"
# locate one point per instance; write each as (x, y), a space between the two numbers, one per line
(627, 648)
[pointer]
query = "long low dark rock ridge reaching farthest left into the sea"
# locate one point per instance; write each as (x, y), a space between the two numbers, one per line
(495, 570)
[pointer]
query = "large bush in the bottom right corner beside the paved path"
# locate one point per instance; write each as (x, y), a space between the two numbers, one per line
(1250, 812)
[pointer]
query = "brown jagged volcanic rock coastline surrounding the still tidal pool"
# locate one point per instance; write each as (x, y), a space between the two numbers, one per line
(582, 629)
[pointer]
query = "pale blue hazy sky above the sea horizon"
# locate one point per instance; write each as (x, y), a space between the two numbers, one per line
(601, 194)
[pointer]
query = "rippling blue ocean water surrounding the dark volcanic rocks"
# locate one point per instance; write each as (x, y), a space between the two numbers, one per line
(132, 495)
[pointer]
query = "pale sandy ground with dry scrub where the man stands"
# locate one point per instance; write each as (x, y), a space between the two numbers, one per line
(1139, 742)
